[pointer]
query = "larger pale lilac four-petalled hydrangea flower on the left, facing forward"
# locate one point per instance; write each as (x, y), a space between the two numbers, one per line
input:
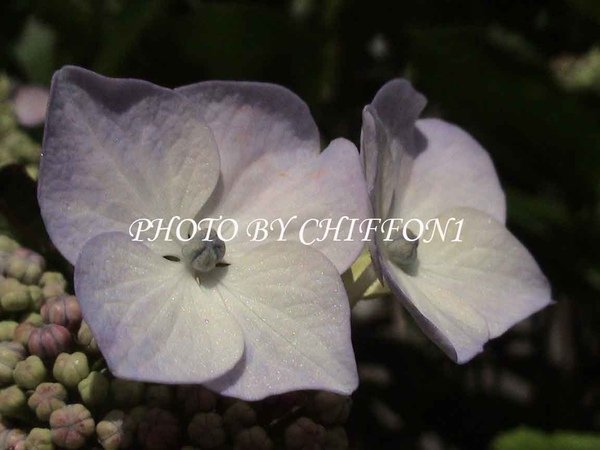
(254, 318)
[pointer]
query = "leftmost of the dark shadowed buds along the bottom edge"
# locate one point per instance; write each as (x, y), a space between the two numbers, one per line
(158, 430)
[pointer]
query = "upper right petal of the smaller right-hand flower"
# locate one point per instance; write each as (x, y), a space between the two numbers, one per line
(453, 171)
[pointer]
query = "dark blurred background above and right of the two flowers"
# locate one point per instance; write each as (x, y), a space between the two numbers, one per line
(522, 76)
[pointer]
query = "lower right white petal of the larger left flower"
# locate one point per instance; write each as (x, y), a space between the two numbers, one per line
(292, 307)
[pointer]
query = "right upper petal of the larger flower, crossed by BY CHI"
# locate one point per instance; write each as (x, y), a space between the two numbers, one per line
(305, 191)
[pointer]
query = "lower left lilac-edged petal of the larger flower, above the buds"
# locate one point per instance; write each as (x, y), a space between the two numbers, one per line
(152, 320)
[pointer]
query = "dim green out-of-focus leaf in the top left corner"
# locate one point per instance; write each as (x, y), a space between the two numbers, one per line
(35, 51)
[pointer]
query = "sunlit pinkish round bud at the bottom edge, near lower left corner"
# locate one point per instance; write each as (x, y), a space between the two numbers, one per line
(71, 426)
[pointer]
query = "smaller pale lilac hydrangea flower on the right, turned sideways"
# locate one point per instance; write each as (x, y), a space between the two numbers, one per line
(461, 293)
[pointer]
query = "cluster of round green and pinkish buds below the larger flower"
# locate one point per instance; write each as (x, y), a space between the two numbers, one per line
(57, 392)
